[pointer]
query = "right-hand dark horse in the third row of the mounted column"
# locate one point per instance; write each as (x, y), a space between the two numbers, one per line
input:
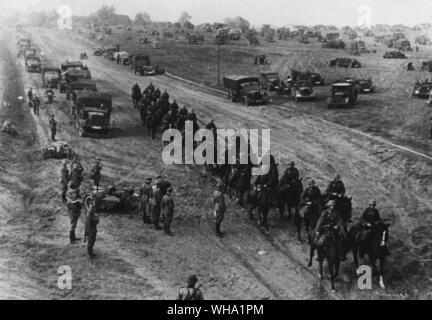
(290, 195)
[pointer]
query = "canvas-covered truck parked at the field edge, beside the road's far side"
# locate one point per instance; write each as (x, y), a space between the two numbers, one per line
(245, 89)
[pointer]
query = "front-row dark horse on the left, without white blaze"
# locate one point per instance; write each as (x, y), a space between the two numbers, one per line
(327, 246)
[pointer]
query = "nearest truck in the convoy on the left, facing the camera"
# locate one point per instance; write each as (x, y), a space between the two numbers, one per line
(93, 114)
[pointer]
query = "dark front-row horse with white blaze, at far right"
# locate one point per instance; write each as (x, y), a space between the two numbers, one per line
(372, 242)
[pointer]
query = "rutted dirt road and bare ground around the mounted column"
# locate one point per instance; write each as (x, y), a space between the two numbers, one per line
(136, 262)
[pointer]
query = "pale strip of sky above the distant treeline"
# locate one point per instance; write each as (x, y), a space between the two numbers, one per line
(257, 12)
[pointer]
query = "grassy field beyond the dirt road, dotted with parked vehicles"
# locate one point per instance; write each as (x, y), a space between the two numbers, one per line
(390, 112)
